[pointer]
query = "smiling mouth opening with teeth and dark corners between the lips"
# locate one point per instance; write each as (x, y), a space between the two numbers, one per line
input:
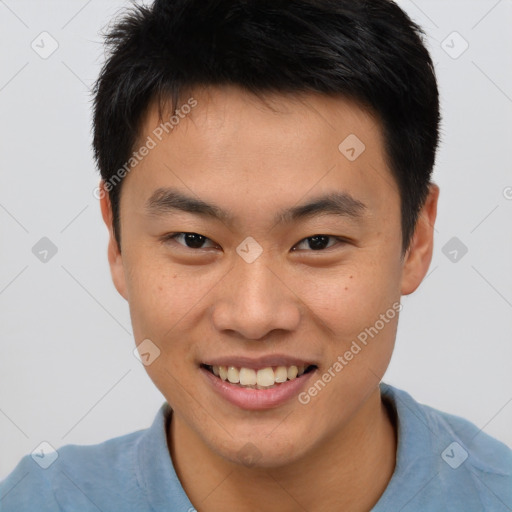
(264, 378)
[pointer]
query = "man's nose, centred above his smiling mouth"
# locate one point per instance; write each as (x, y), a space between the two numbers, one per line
(254, 300)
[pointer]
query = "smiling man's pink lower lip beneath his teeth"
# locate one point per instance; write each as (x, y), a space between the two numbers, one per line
(257, 399)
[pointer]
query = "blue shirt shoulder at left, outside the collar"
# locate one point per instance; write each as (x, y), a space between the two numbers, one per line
(77, 478)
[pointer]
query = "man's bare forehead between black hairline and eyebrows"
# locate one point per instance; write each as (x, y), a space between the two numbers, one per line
(268, 150)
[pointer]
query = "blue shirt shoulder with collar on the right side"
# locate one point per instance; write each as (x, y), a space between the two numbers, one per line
(458, 464)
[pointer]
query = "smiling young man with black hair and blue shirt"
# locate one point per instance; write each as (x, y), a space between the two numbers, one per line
(266, 184)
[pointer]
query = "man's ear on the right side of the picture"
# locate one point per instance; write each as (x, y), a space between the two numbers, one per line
(419, 254)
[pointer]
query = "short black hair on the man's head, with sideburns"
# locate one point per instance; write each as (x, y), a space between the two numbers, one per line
(365, 50)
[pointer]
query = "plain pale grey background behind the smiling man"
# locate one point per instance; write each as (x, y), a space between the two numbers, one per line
(67, 371)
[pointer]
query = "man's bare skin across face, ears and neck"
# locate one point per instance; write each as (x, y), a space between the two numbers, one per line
(338, 451)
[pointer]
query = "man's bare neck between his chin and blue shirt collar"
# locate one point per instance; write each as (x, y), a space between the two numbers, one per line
(348, 471)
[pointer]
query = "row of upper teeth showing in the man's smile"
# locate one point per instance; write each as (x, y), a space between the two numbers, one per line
(263, 378)
